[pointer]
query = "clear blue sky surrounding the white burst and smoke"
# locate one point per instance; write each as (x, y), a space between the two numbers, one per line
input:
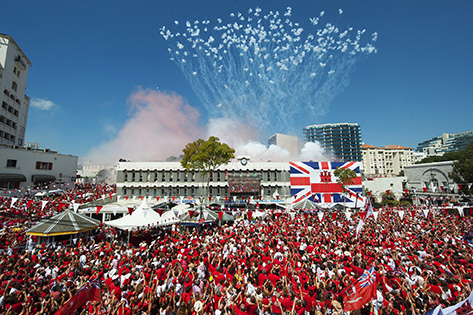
(89, 57)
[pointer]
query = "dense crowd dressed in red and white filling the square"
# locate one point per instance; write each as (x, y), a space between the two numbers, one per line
(277, 265)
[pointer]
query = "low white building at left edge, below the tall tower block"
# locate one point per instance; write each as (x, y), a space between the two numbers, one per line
(22, 167)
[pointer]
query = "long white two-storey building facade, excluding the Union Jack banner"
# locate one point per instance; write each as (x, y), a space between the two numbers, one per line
(171, 179)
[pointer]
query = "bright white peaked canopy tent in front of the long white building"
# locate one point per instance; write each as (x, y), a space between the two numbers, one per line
(143, 216)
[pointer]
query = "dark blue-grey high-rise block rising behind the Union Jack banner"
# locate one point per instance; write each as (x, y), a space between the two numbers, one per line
(343, 140)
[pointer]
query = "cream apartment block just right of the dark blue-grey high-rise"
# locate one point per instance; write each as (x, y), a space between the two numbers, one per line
(387, 160)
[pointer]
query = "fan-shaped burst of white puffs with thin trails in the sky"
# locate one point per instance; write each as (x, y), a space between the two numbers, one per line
(266, 68)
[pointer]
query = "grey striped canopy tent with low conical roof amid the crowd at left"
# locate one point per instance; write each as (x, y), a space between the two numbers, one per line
(65, 223)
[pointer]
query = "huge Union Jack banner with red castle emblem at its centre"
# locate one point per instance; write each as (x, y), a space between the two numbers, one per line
(315, 181)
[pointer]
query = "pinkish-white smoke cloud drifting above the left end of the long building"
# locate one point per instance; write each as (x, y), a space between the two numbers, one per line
(160, 125)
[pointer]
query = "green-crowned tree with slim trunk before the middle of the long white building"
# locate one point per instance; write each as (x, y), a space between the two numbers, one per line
(206, 156)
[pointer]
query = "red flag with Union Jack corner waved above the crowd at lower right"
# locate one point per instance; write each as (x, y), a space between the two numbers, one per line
(362, 291)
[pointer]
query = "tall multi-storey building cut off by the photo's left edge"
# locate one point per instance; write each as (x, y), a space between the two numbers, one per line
(14, 66)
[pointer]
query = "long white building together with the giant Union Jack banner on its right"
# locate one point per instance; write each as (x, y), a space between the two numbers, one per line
(239, 180)
